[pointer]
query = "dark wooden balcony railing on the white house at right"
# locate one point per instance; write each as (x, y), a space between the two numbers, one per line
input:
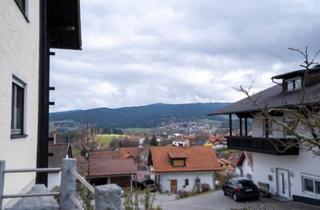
(274, 146)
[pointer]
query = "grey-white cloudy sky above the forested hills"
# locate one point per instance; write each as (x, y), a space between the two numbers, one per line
(180, 51)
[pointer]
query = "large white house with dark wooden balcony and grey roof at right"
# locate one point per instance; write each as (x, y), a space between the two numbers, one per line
(294, 173)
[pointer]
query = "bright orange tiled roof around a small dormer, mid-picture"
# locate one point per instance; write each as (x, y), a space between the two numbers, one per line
(199, 158)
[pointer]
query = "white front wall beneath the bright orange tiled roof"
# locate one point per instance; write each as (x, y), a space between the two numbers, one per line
(205, 177)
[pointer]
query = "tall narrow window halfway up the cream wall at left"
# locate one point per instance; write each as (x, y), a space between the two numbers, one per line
(17, 107)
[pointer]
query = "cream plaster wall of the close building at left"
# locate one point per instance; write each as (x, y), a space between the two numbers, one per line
(19, 55)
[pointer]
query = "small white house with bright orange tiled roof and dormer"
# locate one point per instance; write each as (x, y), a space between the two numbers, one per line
(183, 168)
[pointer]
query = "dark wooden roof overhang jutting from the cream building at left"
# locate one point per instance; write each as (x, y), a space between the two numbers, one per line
(64, 25)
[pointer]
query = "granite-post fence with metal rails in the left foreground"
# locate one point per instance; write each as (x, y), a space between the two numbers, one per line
(105, 196)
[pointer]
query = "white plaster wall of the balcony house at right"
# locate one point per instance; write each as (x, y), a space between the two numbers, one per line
(265, 165)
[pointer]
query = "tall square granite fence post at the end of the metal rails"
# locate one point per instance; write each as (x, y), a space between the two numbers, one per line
(68, 184)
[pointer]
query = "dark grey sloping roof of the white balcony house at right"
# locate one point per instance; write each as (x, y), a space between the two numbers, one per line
(272, 97)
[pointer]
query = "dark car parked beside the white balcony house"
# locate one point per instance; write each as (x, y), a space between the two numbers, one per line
(241, 188)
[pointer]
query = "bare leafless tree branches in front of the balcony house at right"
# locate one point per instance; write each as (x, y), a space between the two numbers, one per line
(304, 122)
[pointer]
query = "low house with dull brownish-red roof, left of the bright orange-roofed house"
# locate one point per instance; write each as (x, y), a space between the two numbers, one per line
(121, 166)
